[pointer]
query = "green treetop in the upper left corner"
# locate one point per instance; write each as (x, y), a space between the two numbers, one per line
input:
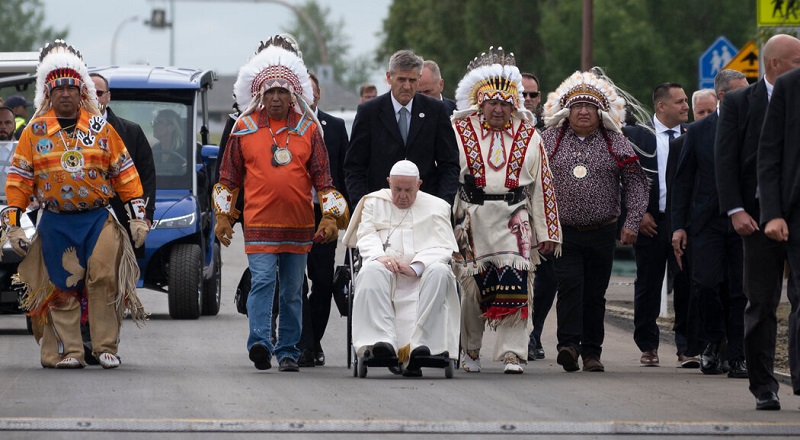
(21, 22)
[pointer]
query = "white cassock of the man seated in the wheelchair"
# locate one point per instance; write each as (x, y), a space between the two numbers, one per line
(404, 311)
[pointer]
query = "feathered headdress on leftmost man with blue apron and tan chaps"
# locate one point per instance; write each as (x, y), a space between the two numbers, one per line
(62, 65)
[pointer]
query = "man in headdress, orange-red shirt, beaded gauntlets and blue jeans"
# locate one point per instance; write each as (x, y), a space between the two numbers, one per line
(276, 153)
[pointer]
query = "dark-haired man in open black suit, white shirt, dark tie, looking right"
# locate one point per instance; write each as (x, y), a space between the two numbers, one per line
(653, 247)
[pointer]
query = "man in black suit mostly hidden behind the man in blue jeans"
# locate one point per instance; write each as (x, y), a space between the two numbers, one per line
(321, 258)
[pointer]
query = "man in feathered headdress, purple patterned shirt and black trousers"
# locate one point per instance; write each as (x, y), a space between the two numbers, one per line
(591, 160)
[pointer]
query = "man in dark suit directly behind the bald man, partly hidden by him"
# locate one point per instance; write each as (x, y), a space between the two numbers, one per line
(716, 248)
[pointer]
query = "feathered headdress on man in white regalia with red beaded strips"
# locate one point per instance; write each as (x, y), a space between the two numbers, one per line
(492, 75)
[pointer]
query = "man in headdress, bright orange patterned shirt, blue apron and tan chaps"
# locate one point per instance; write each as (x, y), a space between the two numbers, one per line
(80, 267)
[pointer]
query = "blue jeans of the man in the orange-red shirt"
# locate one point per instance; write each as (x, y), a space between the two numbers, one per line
(265, 269)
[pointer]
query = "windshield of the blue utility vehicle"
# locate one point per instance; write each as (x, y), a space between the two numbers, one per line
(168, 129)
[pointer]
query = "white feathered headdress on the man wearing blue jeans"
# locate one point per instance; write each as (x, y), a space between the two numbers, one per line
(277, 63)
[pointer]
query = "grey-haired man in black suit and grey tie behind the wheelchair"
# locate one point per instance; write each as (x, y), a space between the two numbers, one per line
(426, 138)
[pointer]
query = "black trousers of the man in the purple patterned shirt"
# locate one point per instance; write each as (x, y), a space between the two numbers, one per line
(583, 272)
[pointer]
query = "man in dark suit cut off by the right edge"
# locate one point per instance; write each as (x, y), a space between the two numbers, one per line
(779, 183)
